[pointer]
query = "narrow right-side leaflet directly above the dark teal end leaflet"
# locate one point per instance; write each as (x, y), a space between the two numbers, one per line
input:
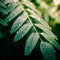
(51, 40)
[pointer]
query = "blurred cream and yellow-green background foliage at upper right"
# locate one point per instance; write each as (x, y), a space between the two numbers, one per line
(50, 11)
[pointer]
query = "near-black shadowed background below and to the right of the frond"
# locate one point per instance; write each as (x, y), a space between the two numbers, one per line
(9, 49)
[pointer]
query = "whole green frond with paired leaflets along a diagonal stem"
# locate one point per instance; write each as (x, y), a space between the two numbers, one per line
(26, 18)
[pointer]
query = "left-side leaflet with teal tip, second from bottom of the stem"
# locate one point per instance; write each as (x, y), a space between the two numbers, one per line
(22, 32)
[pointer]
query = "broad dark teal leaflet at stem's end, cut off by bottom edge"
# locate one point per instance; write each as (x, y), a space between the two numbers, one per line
(47, 51)
